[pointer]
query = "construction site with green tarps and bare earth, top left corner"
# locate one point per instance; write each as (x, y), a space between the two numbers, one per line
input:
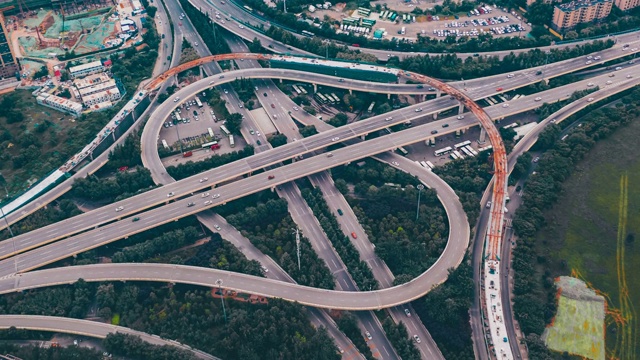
(64, 26)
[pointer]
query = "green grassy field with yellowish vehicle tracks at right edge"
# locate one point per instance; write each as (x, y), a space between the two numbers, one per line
(591, 233)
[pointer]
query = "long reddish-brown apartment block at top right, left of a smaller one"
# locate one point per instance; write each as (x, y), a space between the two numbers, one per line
(567, 16)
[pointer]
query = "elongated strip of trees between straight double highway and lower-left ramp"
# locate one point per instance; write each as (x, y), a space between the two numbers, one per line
(159, 245)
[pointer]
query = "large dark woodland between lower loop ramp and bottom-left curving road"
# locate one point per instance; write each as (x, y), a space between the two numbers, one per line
(188, 314)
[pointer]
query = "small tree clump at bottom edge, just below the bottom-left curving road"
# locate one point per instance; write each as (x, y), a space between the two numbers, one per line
(132, 347)
